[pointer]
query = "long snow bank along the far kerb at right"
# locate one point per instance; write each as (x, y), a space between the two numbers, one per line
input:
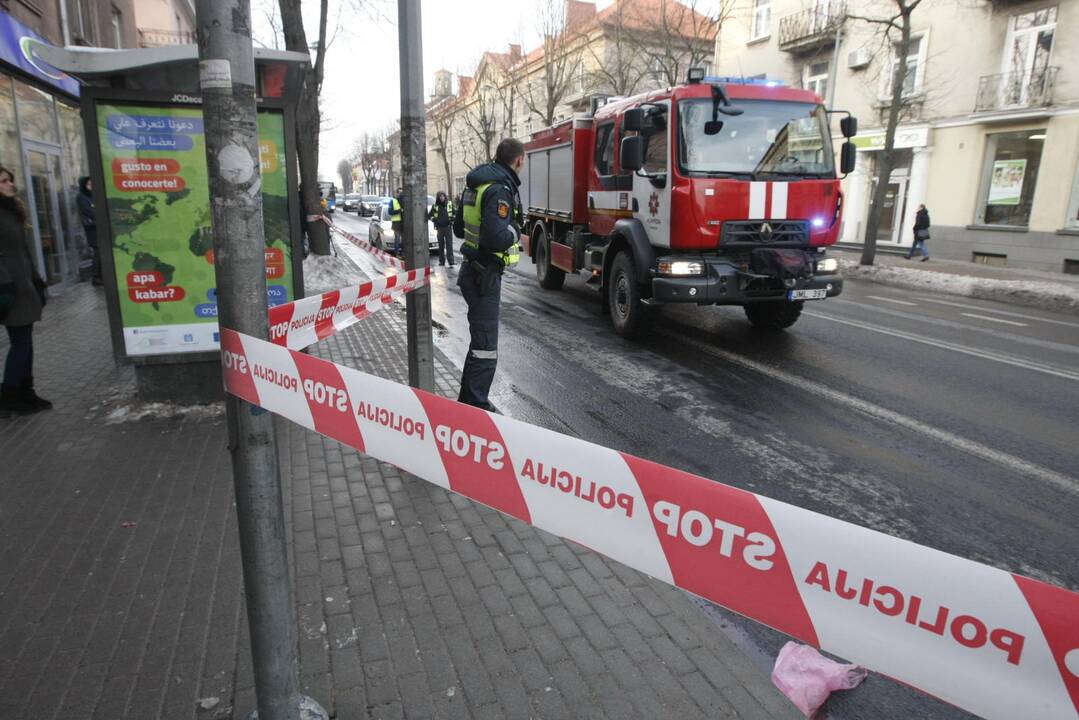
(1036, 294)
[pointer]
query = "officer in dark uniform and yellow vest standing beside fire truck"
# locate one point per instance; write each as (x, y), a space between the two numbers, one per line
(489, 224)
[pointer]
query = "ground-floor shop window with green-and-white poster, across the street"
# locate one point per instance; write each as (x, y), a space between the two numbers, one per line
(1009, 178)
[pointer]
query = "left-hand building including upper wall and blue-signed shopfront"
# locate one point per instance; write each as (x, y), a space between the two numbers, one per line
(42, 139)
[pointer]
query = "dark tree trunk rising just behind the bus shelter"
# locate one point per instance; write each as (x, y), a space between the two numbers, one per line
(308, 115)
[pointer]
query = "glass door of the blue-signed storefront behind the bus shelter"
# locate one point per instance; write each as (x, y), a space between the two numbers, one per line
(44, 185)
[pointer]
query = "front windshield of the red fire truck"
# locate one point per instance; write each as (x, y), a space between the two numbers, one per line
(770, 141)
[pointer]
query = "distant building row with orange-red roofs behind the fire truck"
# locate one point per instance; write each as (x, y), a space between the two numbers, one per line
(631, 47)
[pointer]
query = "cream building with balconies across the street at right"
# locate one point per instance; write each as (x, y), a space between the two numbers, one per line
(989, 135)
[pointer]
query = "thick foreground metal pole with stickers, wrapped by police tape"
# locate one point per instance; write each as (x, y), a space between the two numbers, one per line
(227, 78)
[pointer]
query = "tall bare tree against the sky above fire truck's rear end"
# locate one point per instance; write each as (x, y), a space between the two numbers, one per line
(561, 57)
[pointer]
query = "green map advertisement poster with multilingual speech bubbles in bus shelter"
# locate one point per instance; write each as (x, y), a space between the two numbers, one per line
(158, 191)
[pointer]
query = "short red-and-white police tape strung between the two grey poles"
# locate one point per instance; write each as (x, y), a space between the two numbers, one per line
(305, 322)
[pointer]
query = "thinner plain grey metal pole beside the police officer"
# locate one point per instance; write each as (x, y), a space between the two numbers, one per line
(421, 349)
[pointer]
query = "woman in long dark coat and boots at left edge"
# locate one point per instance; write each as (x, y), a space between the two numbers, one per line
(22, 298)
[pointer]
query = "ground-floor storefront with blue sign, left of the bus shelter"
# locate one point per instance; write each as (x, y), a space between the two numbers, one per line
(42, 142)
